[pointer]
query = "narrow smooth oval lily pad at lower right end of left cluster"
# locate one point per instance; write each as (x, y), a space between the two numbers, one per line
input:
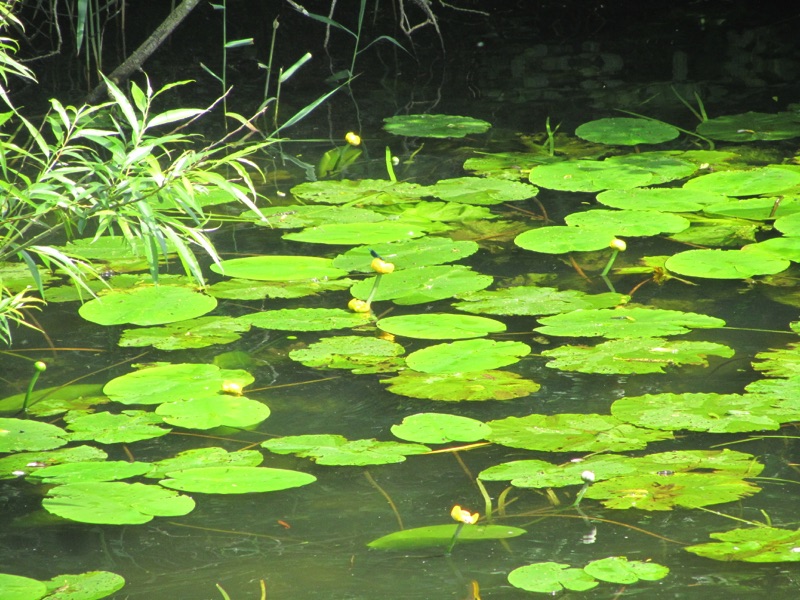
(235, 480)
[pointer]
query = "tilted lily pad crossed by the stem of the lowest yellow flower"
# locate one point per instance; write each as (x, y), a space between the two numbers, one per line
(435, 536)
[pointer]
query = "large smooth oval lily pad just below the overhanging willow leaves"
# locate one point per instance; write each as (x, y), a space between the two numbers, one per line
(147, 305)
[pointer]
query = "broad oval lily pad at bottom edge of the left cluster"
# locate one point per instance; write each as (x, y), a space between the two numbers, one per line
(115, 503)
